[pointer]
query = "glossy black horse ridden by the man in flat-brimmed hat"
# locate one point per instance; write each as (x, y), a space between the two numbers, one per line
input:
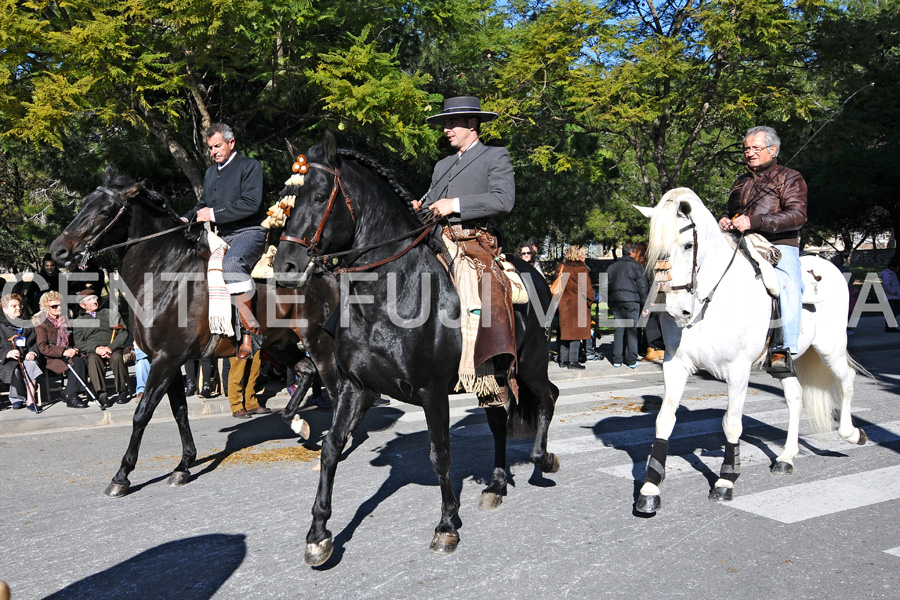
(395, 334)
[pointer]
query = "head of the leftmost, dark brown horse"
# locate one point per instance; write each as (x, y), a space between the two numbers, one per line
(101, 220)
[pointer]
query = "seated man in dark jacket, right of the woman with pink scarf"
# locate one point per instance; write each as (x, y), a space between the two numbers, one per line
(99, 340)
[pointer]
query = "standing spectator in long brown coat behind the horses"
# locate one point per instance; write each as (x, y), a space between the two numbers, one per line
(574, 307)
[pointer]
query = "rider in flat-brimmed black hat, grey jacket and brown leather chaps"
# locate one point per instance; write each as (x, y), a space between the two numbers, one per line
(469, 188)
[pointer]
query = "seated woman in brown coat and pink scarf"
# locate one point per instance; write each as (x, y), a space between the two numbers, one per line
(55, 343)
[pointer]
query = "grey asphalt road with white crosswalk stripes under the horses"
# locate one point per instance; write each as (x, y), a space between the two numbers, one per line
(238, 529)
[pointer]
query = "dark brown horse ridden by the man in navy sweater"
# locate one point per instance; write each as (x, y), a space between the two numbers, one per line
(174, 327)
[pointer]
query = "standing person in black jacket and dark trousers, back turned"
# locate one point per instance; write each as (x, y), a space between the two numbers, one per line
(628, 289)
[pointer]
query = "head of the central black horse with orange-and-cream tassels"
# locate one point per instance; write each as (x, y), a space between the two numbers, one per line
(322, 218)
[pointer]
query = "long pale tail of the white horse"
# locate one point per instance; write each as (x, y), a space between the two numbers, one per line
(821, 389)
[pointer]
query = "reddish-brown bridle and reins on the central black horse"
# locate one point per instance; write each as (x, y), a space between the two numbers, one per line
(302, 167)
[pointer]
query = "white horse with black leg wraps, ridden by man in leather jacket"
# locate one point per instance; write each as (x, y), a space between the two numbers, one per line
(717, 319)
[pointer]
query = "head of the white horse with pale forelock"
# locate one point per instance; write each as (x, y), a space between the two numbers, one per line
(678, 224)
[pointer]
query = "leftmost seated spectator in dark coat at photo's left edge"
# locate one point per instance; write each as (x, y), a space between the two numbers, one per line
(18, 352)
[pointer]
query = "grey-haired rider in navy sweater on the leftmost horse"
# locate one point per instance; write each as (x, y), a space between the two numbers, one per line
(232, 200)
